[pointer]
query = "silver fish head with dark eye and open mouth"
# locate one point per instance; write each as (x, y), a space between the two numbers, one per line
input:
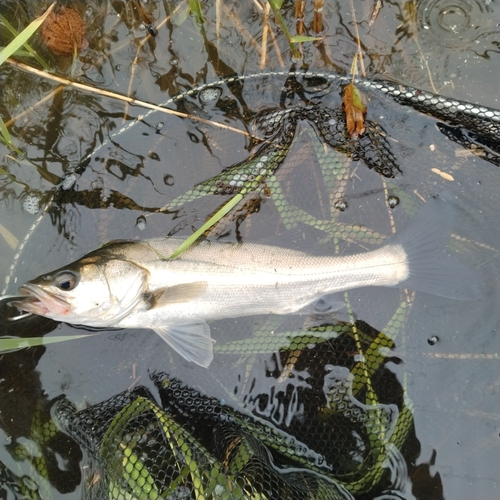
(95, 291)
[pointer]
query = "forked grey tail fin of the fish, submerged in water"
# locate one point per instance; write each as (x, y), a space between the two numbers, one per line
(431, 268)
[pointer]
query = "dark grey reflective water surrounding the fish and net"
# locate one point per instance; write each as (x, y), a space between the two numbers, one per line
(453, 382)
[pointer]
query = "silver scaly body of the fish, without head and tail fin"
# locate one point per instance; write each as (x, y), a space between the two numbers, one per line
(223, 280)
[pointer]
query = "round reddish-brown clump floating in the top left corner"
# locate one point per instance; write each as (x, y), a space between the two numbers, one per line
(64, 31)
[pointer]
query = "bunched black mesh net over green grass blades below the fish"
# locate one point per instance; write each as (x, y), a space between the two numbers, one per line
(195, 446)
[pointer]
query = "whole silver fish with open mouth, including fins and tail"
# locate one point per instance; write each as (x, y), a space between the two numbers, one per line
(134, 284)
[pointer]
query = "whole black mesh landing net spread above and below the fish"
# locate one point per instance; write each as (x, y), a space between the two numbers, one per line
(311, 411)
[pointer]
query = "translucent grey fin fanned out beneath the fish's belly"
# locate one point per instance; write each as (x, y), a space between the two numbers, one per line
(191, 340)
